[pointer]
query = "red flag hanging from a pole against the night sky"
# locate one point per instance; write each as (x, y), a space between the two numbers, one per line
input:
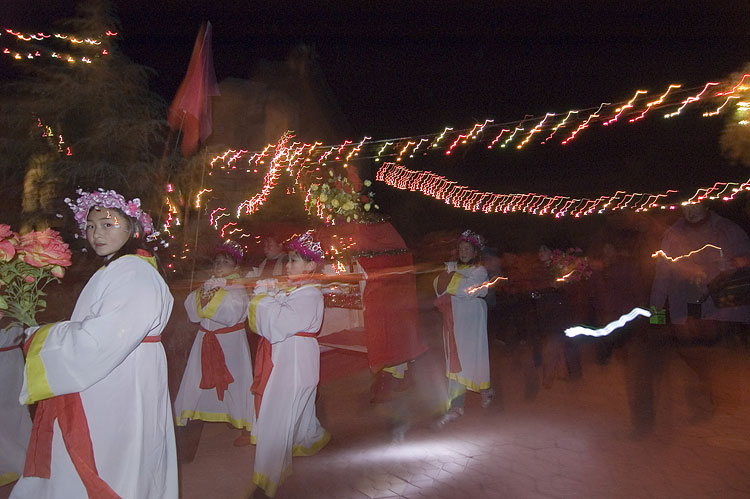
(191, 108)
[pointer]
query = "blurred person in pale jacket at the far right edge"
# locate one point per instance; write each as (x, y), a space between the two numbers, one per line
(681, 287)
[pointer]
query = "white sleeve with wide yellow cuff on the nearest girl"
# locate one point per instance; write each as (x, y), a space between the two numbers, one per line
(120, 305)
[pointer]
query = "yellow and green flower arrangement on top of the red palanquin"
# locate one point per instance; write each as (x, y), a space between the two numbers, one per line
(336, 198)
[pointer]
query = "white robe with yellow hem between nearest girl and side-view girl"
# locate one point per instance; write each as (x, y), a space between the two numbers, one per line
(192, 402)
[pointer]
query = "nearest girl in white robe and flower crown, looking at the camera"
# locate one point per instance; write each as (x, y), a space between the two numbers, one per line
(103, 426)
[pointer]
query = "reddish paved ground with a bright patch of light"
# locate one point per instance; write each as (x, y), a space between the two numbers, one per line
(573, 439)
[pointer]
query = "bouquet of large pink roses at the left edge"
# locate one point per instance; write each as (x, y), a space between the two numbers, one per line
(28, 263)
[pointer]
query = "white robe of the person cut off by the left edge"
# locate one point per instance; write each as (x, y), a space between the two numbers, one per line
(15, 421)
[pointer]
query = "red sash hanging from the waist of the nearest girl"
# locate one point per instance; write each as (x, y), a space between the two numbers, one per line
(74, 428)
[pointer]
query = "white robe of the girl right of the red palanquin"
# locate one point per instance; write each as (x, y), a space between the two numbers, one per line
(470, 327)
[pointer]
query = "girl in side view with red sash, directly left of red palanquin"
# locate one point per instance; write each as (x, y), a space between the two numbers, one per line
(287, 368)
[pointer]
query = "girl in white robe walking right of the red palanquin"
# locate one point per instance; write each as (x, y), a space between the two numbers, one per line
(460, 289)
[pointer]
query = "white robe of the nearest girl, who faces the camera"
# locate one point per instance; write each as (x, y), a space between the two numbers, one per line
(122, 384)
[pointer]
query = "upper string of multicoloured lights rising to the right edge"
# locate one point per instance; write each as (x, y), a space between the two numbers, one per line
(715, 97)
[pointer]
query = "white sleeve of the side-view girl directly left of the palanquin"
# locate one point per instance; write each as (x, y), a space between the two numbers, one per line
(279, 317)
